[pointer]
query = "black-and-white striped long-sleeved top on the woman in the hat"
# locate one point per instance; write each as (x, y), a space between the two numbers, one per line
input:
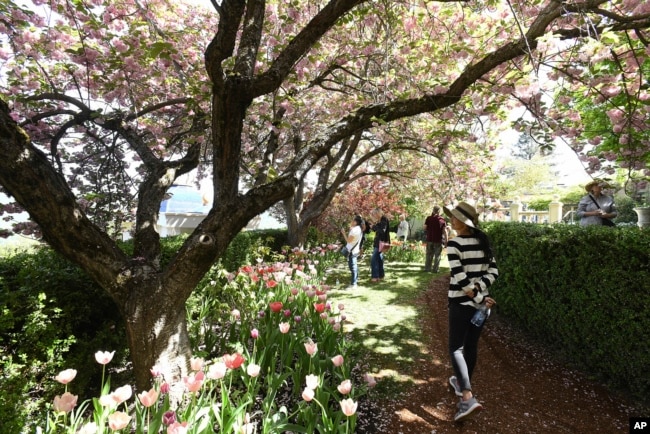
(469, 265)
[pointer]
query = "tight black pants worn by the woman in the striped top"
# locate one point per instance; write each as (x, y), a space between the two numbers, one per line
(463, 343)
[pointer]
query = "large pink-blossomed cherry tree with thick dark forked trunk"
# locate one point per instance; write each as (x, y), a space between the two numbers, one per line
(105, 105)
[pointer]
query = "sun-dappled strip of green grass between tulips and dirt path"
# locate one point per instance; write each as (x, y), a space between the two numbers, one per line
(383, 319)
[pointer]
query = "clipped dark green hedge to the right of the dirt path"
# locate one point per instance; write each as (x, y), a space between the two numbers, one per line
(583, 292)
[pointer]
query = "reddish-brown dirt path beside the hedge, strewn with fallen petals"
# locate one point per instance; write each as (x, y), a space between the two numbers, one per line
(521, 390)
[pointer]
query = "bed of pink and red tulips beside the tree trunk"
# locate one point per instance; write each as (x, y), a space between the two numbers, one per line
(270, 357)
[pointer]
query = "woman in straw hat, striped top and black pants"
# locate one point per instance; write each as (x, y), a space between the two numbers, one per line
(473, 271)
